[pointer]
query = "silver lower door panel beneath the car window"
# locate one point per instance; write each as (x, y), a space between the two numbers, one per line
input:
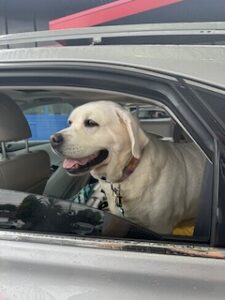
(45, 271)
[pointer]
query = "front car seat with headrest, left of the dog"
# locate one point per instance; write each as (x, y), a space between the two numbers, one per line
(29, 171)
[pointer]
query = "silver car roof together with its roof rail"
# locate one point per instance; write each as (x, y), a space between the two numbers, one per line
(203, 62)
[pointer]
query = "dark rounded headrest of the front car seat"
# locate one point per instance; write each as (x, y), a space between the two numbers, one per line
(13, 124)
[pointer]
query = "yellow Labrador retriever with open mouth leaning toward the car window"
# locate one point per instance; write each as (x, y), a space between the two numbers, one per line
(151, 182)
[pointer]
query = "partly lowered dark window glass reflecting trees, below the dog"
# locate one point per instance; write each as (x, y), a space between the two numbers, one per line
(36, 213)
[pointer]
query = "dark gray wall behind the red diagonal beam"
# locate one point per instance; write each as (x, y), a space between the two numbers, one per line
(28, 15)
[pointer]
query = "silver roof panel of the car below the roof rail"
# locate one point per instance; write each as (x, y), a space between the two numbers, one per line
(204, 63)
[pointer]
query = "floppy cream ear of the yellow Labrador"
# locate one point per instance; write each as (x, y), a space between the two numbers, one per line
(137, 136)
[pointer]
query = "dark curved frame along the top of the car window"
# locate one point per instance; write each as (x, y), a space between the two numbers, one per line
(121, 79)
